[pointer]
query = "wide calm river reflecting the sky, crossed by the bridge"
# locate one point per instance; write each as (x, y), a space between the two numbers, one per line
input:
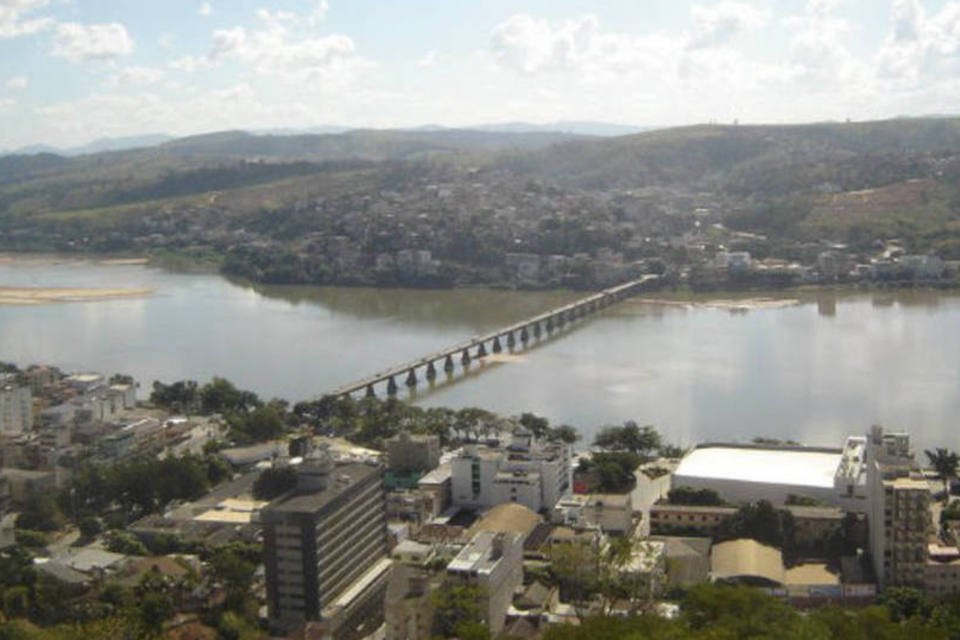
(811, 367)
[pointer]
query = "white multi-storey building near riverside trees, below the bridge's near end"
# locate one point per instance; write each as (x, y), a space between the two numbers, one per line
(526, 471)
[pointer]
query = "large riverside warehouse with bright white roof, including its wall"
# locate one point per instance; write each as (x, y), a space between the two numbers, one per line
(748, 473)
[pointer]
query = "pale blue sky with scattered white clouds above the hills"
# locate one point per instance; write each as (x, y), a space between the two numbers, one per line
(75, 70)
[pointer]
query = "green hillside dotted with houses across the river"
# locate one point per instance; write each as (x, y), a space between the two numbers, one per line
(335, 203)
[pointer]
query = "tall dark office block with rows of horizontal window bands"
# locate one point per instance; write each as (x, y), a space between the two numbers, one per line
(325, 550)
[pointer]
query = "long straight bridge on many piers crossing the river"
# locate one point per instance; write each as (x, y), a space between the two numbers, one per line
(477, 347)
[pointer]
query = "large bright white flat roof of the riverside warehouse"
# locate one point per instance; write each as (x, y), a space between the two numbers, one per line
(792, 467)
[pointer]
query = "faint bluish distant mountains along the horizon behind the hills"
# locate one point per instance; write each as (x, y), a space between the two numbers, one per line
(598, 129)
